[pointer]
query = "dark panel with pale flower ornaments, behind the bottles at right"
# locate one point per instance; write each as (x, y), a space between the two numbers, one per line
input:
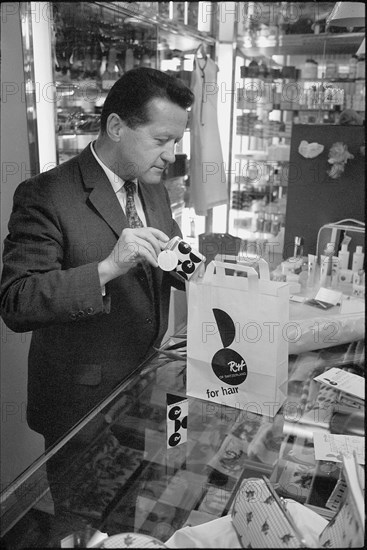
(314, 199)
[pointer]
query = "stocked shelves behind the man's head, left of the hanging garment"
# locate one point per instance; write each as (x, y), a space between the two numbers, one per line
(96, 42)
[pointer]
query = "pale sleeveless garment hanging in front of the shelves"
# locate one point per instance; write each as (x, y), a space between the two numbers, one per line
(208, 179)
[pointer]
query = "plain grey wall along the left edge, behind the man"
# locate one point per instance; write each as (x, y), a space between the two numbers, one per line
(20, 446)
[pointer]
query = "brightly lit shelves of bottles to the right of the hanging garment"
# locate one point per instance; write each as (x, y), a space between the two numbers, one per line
(268, 104)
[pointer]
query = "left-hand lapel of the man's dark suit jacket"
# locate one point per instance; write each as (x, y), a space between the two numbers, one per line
(102, 196)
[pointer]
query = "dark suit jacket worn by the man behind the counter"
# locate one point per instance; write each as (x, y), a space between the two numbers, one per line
(63, 223)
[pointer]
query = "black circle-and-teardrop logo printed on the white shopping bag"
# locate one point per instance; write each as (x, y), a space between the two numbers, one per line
(227, 364)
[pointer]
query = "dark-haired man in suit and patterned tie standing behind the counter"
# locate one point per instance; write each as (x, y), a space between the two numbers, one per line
(80, 260)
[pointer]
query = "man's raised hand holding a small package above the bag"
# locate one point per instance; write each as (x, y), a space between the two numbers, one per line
(133, 246)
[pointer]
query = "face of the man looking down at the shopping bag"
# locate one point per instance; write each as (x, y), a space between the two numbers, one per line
(146, 150)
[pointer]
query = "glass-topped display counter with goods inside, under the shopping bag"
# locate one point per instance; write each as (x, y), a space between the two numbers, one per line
(115, 472)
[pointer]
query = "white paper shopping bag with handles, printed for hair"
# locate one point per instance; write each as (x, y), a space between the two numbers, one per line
(237, 349)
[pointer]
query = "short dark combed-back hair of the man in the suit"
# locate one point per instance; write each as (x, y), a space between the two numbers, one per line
(130, 95)
